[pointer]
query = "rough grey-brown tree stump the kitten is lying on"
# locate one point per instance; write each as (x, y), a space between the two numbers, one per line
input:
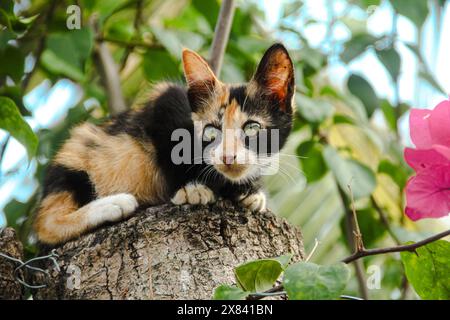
(168, 252)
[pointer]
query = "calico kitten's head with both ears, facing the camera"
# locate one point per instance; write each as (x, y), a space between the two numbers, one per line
(242, 127)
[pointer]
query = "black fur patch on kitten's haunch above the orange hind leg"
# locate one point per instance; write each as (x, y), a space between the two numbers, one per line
(60, 178)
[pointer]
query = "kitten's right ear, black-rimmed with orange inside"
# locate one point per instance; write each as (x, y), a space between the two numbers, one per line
(274, 76)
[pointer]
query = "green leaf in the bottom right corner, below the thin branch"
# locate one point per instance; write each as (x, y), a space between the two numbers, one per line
(428, 270)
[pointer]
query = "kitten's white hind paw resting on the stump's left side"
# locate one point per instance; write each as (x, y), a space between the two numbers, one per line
(111, 208)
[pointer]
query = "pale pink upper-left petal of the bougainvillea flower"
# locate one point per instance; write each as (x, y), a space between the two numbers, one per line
(419, 128)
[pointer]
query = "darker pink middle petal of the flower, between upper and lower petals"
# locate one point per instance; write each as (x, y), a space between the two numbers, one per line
(422, 159)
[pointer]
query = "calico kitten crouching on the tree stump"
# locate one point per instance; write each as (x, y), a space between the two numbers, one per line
(102, 173)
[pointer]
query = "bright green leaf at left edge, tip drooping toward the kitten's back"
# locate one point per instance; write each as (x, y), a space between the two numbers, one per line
(12, 121)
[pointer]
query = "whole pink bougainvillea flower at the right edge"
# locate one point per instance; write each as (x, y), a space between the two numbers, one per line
(428, 193)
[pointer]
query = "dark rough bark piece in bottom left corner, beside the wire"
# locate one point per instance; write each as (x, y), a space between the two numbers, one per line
(10, 289)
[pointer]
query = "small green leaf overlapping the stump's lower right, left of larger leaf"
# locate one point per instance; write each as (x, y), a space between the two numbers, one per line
(260, 275)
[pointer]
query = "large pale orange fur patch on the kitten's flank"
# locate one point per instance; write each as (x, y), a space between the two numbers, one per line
(115, 164)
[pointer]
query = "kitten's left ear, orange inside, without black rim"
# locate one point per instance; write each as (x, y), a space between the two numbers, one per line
(197, 70)
